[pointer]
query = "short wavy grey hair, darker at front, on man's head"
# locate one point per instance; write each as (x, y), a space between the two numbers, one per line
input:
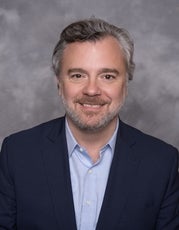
(93, 29)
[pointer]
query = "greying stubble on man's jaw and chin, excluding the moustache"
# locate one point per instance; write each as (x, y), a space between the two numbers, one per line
(101, 123)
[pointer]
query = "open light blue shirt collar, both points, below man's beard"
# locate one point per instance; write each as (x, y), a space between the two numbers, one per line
(72, 143)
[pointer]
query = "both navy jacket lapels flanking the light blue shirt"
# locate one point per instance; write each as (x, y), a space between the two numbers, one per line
(121, 177)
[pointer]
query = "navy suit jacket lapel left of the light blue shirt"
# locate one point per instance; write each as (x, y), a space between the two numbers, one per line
(55, 158)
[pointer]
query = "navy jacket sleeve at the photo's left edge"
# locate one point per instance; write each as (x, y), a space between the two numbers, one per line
(7, 193)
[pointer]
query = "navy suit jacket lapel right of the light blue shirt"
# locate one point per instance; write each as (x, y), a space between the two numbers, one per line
(121, 179)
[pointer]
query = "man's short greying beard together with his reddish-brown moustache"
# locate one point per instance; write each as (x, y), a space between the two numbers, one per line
(84, 124)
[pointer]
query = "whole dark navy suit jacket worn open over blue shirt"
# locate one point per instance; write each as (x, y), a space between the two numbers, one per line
(142, 192)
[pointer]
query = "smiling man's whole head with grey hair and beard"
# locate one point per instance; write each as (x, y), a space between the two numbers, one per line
(93, 62)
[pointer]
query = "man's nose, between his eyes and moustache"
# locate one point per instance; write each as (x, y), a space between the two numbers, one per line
(92, 87)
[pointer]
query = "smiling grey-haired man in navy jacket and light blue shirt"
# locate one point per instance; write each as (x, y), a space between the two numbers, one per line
(89, 170)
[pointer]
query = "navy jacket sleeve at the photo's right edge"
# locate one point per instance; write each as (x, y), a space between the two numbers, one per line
(168, 218)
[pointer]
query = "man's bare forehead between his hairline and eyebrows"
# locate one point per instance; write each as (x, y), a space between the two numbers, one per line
(101, 53)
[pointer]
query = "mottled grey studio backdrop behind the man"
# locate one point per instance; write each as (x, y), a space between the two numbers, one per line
(29, 31)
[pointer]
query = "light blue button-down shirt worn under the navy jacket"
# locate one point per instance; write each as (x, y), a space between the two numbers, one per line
(88, 179)
